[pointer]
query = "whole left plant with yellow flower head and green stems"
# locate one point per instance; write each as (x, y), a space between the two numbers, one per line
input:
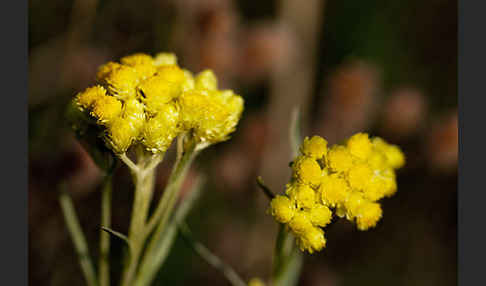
(138, 107)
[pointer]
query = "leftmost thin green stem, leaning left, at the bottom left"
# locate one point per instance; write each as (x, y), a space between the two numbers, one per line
(77, 237)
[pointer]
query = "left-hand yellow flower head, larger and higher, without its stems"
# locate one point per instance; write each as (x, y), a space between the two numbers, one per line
(151, 100)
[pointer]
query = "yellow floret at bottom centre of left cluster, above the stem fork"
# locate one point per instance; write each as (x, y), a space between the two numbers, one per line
(159, 131)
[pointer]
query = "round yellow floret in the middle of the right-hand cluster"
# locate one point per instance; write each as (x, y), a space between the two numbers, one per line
(333, 190)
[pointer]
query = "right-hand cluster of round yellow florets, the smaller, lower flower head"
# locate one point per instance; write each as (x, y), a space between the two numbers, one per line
(348, 179)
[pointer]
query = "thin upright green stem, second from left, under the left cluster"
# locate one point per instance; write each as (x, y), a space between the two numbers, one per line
(104, 258)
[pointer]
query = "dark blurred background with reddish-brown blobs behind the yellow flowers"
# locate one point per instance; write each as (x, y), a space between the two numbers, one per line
(384, 67)
